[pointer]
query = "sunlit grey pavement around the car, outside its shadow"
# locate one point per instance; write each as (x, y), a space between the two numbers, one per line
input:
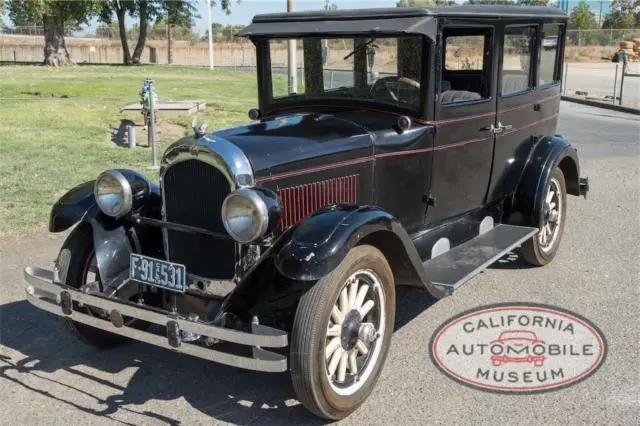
(48, 378)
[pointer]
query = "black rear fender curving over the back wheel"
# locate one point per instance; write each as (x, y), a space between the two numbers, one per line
(549, 152)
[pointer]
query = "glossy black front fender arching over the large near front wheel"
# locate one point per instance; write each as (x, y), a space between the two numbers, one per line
(319, 243)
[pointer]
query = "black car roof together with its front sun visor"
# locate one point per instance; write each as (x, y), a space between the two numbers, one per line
(389, 20)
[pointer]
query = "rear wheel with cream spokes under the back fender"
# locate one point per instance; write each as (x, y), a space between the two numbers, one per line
(535, 251)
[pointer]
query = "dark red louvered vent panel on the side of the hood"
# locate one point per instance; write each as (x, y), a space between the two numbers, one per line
(300, 201)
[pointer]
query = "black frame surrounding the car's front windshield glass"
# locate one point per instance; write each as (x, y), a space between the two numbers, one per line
(270, 105)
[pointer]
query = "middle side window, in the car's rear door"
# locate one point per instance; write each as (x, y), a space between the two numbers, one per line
(517, 52)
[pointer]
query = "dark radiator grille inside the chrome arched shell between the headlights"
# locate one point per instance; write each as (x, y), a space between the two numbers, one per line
(193, 195)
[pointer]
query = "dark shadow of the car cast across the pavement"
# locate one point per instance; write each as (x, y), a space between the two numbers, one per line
(224, 393)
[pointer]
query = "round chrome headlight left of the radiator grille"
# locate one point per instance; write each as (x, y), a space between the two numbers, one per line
(113, 193)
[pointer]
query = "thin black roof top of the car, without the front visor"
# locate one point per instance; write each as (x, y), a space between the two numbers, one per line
(481, 10)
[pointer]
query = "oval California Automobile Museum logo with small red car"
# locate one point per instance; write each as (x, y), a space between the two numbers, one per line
(518, 348)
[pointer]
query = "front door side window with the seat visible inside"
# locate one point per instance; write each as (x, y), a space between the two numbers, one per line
(466, 60)
